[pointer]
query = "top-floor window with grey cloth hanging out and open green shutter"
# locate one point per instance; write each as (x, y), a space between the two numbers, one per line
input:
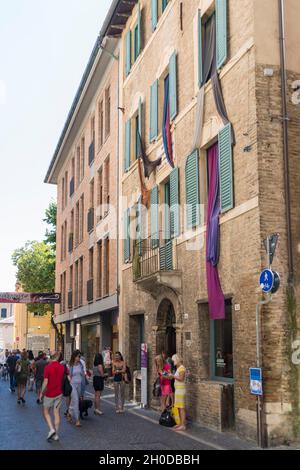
(212, 40)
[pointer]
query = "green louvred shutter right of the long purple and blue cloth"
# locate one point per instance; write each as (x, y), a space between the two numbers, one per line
(226, 173)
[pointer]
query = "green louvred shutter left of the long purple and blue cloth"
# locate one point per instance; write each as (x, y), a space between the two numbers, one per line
(192, 190)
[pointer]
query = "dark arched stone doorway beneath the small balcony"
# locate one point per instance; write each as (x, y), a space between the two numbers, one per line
(166, 331)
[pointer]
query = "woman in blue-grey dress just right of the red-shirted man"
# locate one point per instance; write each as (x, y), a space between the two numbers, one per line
(78, 377)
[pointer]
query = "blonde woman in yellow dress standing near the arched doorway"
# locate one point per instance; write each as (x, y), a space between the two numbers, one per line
(180, 391)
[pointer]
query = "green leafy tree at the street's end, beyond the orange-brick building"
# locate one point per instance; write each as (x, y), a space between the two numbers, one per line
(35, 263)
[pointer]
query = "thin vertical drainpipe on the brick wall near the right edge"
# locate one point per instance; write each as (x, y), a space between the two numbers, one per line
(285, 120)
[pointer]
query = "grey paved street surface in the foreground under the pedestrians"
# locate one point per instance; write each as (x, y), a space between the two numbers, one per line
(23, 427)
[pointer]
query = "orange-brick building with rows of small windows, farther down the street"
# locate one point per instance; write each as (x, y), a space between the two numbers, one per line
(84, 168)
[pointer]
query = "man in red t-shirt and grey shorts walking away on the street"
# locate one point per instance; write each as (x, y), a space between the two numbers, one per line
(52, 394)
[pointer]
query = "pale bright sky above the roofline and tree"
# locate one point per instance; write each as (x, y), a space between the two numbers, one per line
(44, 48)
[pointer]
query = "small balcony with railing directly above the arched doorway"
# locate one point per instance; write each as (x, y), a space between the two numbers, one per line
(155, 265)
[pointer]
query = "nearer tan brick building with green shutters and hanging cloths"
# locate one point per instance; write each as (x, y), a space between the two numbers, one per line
(202, 79)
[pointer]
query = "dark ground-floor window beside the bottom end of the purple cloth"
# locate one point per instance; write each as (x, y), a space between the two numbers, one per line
(221, 346)
